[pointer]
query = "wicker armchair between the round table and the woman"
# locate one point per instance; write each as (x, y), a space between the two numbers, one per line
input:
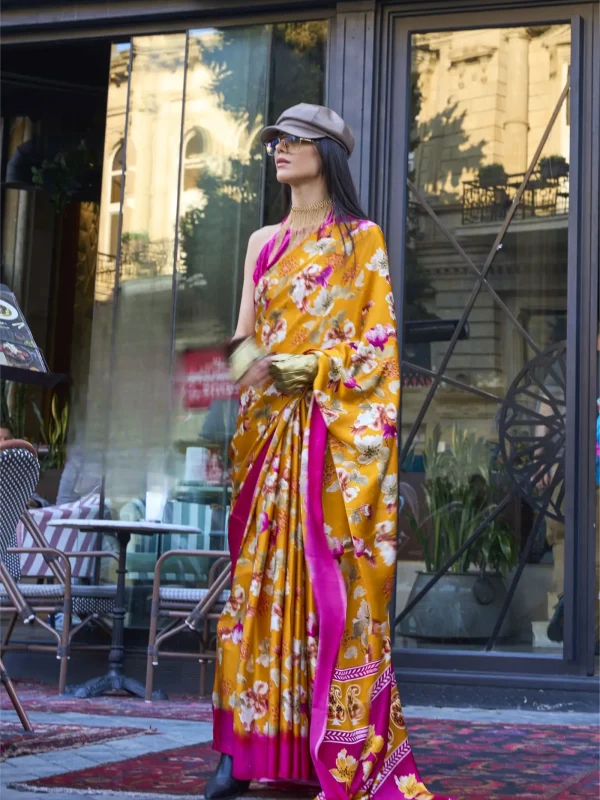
(187, 609)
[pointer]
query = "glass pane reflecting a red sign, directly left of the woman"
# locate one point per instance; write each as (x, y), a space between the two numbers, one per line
(225, 101)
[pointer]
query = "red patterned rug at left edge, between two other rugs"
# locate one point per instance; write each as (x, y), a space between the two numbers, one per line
(45, 738)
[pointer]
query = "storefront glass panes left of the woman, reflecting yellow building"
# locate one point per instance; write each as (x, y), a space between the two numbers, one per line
(185, 184)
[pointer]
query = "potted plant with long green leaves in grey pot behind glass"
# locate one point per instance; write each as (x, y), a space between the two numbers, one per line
(459, 494)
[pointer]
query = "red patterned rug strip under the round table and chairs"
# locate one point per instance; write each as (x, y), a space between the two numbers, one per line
(39, 697)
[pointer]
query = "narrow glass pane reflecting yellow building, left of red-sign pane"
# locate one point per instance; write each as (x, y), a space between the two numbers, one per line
(141, 343)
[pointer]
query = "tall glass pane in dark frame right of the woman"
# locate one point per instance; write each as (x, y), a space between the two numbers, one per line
(481, 103)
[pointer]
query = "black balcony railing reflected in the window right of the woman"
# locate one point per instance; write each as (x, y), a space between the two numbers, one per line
(544, 196)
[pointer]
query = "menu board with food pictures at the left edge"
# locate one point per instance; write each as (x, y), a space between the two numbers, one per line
(17, 346)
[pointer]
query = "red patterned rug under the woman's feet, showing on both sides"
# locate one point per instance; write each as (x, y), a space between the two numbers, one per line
(475, 761)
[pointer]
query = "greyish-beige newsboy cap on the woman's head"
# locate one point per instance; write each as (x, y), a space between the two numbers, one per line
(311, 122)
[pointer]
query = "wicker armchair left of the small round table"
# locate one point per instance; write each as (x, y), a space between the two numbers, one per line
(32, 602)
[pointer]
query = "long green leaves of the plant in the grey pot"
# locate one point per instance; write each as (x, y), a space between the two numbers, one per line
(459, 493)
